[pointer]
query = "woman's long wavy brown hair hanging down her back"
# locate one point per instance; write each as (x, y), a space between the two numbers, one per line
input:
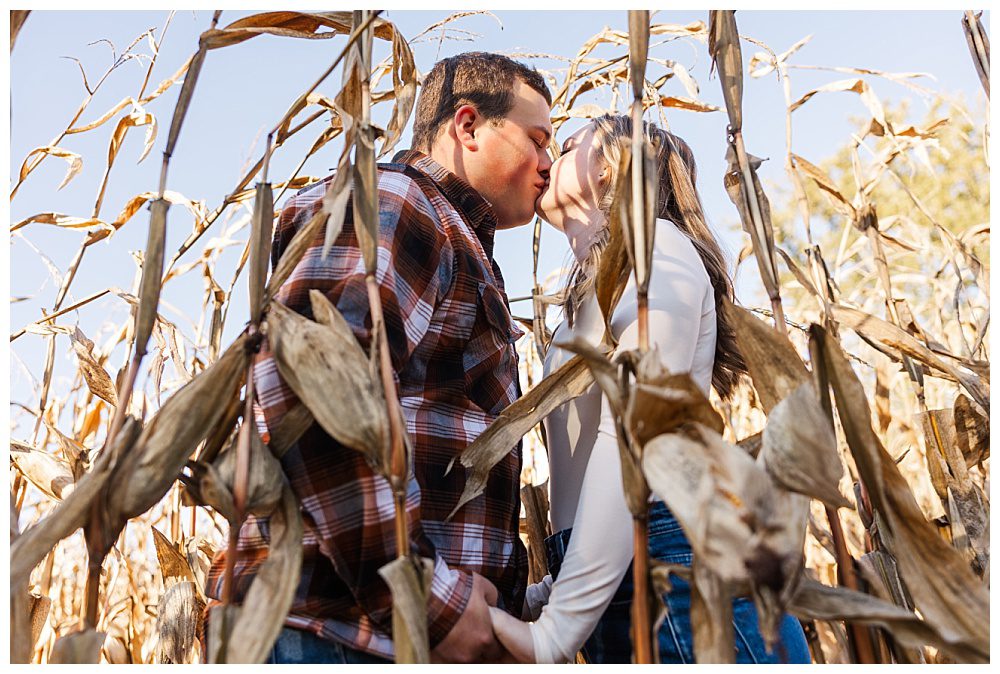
(678, 202)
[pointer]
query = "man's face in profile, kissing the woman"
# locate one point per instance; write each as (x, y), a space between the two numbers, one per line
(511, 164)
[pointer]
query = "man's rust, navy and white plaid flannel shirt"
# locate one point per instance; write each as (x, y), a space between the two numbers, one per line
(451, 340)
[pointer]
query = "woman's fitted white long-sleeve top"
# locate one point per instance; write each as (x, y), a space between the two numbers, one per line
(585, 482)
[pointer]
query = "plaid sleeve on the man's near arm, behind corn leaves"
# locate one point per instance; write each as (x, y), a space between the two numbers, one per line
(350, 506)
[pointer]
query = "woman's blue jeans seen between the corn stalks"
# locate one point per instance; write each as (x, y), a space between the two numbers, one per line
(610, 642)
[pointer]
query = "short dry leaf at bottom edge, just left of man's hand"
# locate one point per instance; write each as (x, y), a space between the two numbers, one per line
(409, 581)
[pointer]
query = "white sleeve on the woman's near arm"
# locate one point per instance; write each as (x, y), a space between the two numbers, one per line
(600, 547)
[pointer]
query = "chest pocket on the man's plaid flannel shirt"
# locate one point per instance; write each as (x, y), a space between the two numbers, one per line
(490, 358)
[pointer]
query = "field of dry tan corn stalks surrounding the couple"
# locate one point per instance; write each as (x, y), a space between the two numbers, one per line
(847, 483)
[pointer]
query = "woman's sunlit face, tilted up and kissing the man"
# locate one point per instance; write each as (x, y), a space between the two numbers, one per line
(576, 181)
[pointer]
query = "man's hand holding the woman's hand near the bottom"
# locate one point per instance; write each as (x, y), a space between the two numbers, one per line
(472, 639)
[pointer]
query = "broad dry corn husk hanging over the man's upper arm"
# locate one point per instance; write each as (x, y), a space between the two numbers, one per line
(315, 360)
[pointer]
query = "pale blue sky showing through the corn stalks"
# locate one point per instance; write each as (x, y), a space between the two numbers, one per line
(243, 90)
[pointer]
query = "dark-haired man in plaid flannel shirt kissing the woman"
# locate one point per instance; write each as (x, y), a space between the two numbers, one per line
(479, 164)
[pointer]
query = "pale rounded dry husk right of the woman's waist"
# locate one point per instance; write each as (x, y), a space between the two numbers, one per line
(799, 448)
